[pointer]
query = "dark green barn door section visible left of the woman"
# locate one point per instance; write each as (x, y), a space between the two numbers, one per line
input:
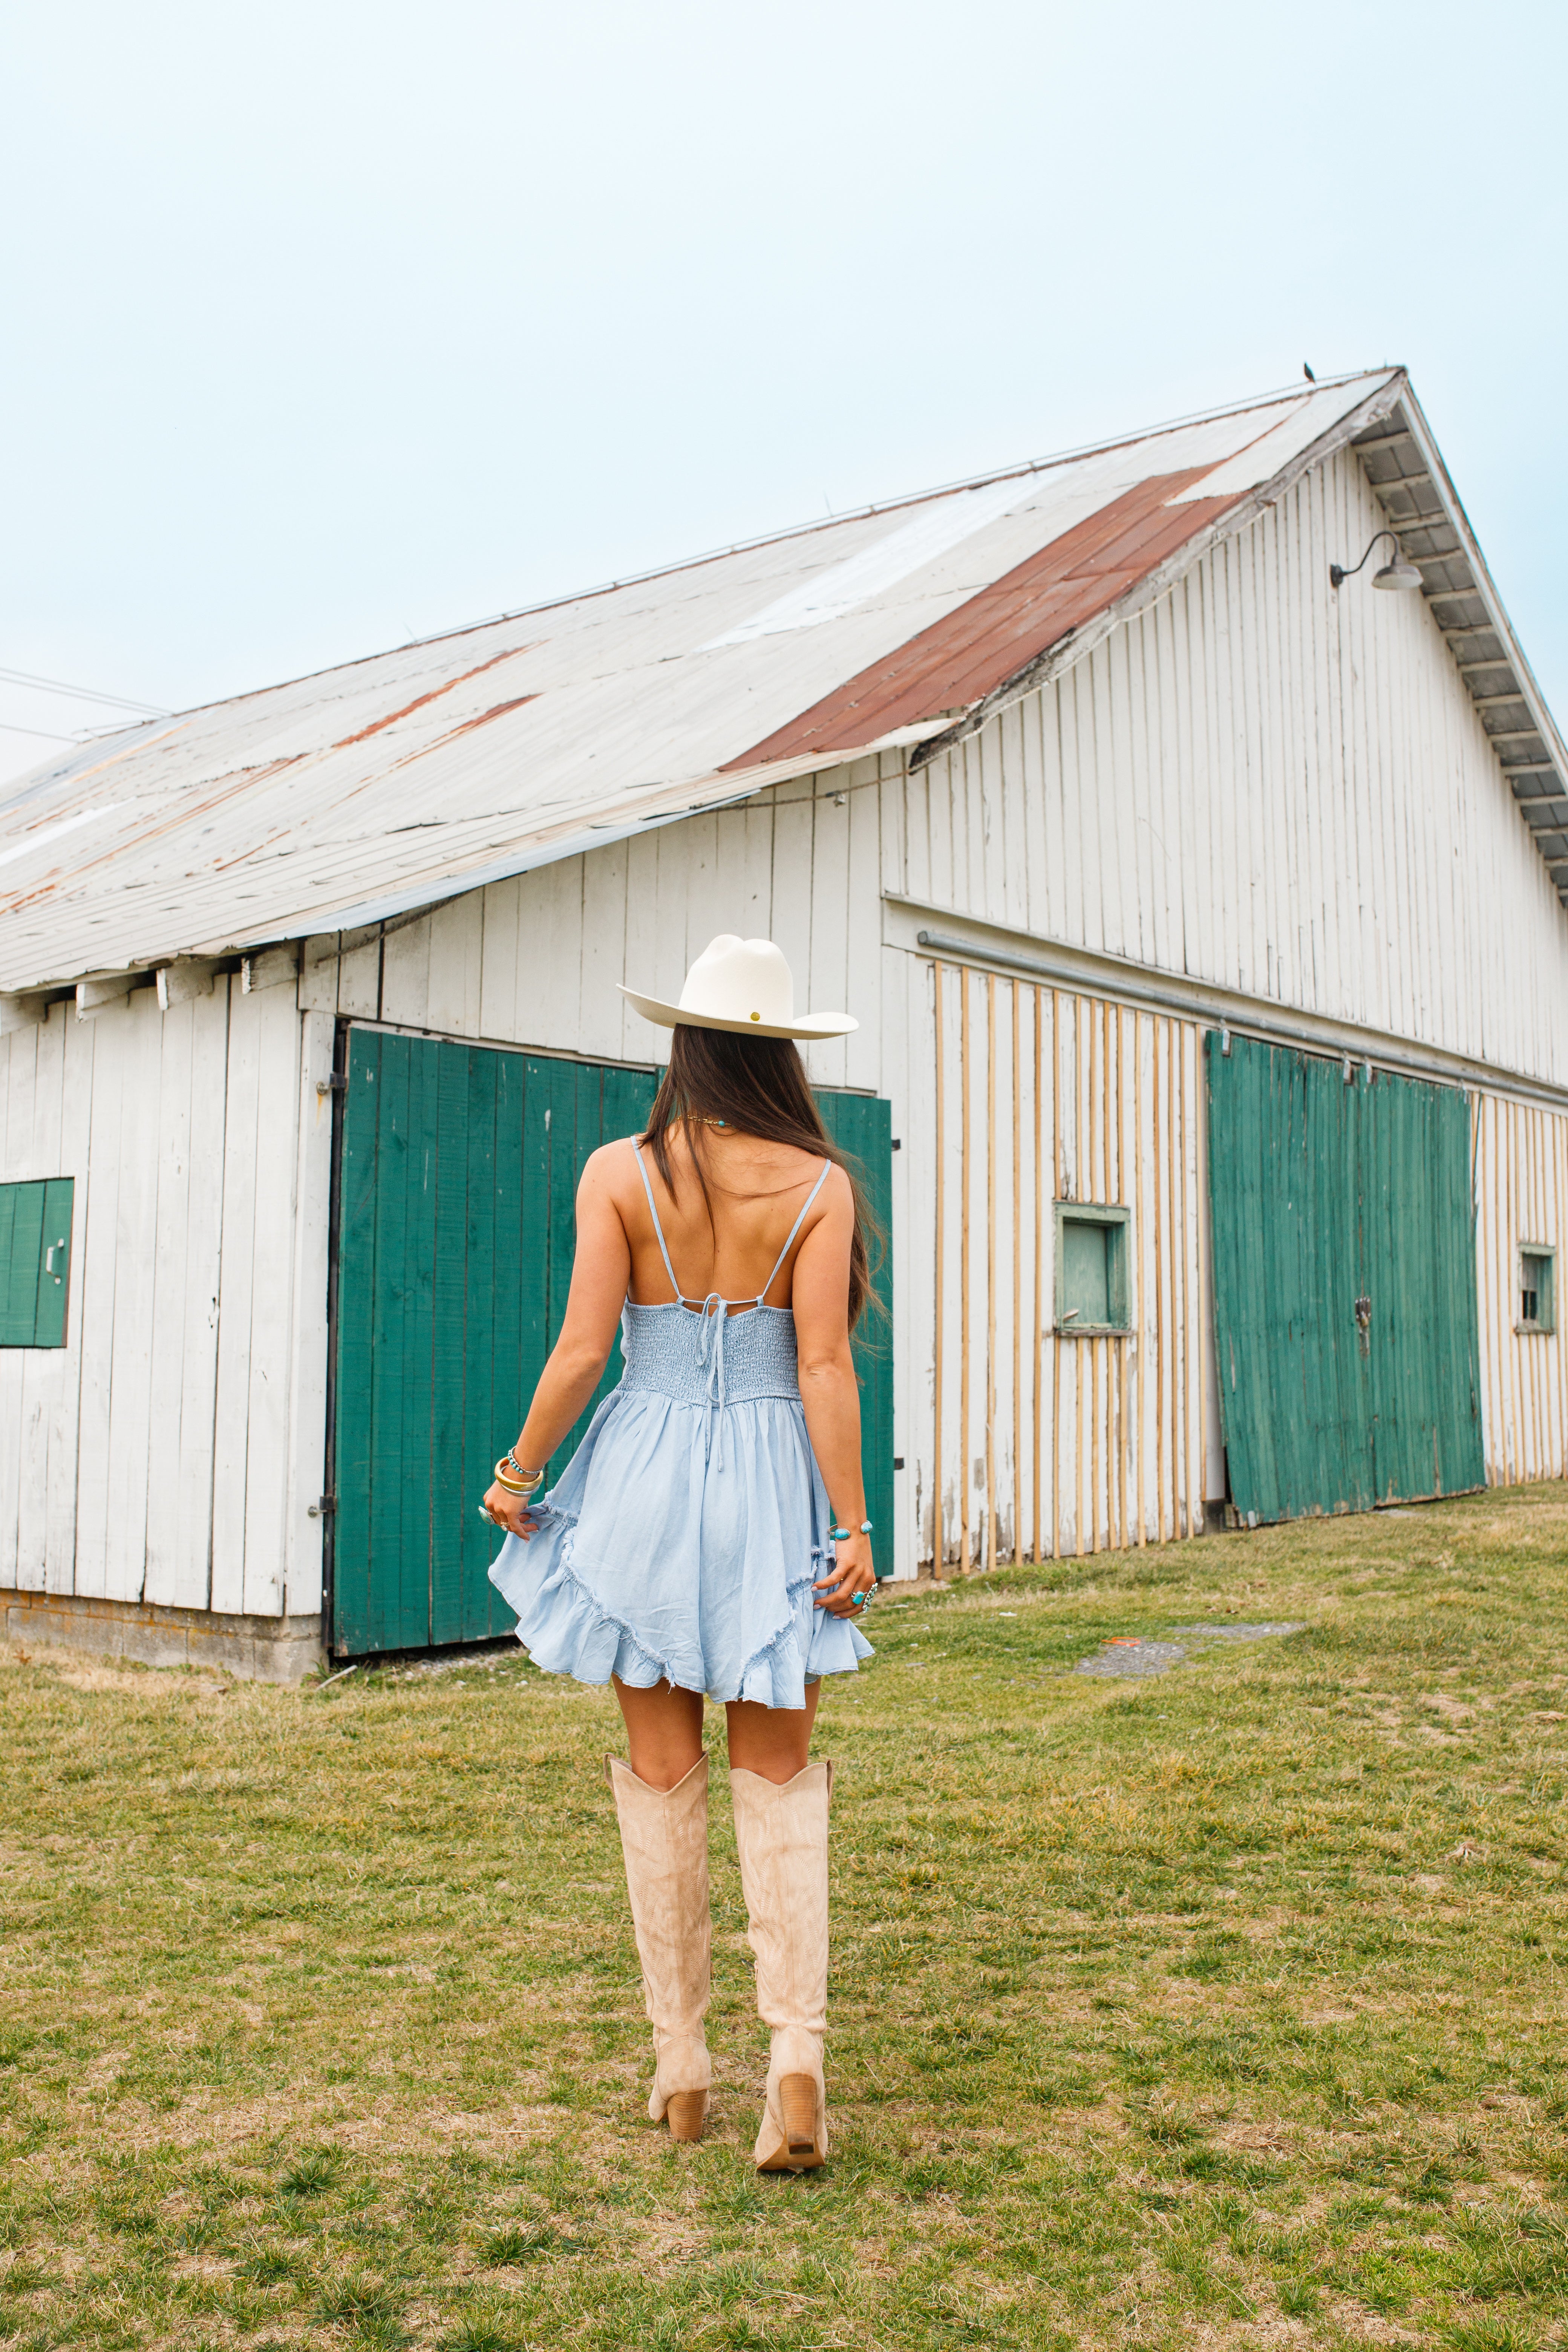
(455, 1255)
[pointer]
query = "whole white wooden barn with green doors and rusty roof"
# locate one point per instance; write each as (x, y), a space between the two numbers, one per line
(1205, 921)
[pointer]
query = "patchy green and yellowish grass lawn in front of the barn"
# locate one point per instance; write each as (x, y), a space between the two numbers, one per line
(1212, 2010)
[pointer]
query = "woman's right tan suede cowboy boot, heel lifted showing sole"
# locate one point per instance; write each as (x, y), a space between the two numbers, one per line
(784, 1869)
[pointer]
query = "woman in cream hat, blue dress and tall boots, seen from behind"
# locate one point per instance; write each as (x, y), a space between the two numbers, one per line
(709, 1535)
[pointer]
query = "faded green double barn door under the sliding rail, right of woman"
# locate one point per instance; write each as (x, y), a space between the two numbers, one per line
(1346, 1283)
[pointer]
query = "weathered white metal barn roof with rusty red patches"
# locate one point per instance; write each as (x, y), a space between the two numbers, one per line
(380, 787)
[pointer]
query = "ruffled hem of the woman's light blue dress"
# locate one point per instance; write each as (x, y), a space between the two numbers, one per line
(568, 1629)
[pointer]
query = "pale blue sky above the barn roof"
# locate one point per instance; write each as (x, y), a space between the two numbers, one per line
(335, 323)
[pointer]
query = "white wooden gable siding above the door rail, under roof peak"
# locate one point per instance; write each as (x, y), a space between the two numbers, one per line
(1273, 787)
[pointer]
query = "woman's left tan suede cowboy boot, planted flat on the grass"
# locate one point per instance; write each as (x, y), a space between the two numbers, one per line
(664, 1838)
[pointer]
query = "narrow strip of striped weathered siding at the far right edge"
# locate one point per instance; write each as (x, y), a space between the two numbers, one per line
(1522, 1196)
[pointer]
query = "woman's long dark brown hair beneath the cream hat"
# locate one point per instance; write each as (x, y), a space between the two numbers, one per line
(756, 1085)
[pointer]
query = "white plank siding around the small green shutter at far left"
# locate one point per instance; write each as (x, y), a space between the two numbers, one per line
(170, 1450)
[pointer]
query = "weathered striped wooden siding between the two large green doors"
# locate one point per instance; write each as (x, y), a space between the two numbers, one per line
(1047, 1443)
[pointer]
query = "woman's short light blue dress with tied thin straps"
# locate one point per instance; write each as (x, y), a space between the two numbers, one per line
(685, 1535)
